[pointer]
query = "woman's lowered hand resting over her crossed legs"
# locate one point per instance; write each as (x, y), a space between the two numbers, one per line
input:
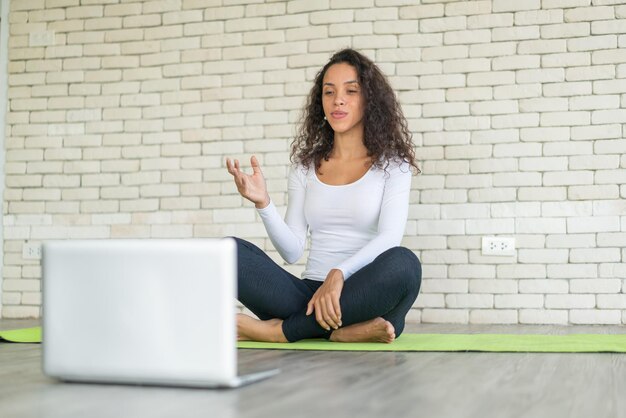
(325, 302)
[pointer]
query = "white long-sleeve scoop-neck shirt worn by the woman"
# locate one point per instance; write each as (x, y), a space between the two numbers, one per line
(350, 225)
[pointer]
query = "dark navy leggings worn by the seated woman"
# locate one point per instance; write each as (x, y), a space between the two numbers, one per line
(387, 288)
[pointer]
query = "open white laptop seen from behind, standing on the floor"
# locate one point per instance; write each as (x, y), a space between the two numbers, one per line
(142, 312)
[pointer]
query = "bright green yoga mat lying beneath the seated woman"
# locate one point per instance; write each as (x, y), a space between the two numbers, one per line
(529, 343)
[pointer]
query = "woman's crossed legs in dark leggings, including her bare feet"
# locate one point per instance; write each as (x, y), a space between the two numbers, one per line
(374, 301)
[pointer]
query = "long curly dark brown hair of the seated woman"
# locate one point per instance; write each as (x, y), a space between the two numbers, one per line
(386, 134)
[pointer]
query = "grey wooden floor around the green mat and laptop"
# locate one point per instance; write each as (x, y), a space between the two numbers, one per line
(350, 384)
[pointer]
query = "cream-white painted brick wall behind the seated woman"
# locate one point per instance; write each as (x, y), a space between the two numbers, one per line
(120, 129)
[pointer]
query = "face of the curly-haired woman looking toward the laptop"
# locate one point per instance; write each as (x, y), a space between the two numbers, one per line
(341, 98)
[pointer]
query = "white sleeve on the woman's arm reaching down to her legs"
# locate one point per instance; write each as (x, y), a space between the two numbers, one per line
(391, 222)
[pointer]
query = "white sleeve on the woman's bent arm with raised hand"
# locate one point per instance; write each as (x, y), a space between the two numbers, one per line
(288, 235)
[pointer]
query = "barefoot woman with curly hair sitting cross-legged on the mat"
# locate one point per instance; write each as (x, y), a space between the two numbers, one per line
(349, 187)
